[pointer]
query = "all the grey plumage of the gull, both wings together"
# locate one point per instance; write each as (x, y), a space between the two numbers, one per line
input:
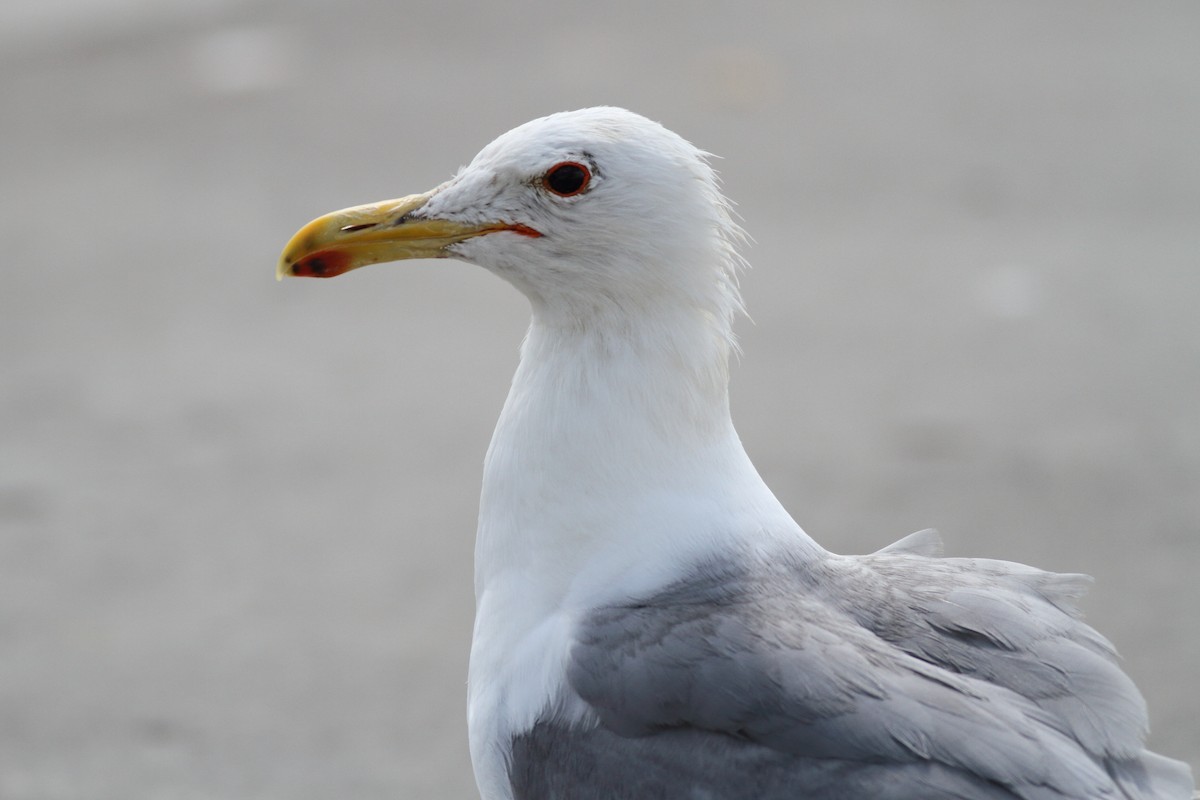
(890, 676)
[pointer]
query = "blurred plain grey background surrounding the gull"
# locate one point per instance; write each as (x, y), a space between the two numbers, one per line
(237, 515)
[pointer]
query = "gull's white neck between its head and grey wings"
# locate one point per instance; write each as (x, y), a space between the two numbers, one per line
(615, 455)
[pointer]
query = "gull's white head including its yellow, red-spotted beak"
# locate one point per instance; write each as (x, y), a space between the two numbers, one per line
(599, 216)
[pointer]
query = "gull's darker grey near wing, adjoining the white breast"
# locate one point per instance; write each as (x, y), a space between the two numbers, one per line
(755, 677)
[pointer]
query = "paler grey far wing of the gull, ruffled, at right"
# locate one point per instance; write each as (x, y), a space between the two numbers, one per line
(1018, 628)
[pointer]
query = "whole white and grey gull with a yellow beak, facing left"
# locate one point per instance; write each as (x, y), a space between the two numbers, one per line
(651, 622)
